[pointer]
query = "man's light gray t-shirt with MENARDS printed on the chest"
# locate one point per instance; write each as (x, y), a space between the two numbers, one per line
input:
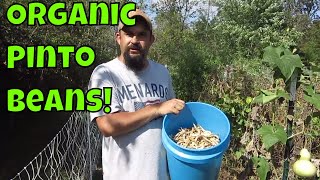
(140, 153)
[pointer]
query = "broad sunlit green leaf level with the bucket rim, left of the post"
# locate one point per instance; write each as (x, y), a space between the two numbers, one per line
(272, 135)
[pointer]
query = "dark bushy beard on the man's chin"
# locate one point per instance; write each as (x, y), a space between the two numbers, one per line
(136, 63)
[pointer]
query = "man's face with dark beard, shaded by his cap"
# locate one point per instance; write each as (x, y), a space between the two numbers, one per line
(135, 42)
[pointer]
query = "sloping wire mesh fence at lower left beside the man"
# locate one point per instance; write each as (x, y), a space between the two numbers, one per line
(72, 154)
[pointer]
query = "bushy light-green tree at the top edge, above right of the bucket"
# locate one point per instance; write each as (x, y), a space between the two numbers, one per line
(248, 26)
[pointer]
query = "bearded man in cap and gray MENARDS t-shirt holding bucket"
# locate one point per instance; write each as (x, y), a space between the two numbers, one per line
(142, 94)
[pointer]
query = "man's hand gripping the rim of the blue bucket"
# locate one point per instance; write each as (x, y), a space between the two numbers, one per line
(170, 106)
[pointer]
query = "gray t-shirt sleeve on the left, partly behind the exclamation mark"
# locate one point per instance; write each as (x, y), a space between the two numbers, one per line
(101, 80)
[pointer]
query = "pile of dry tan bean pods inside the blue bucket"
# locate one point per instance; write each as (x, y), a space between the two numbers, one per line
(196, 138)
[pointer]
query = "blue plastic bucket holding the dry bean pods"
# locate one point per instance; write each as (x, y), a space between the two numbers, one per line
(195, 164)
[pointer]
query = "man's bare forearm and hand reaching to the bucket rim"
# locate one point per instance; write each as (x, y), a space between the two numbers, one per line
(119, 123)
